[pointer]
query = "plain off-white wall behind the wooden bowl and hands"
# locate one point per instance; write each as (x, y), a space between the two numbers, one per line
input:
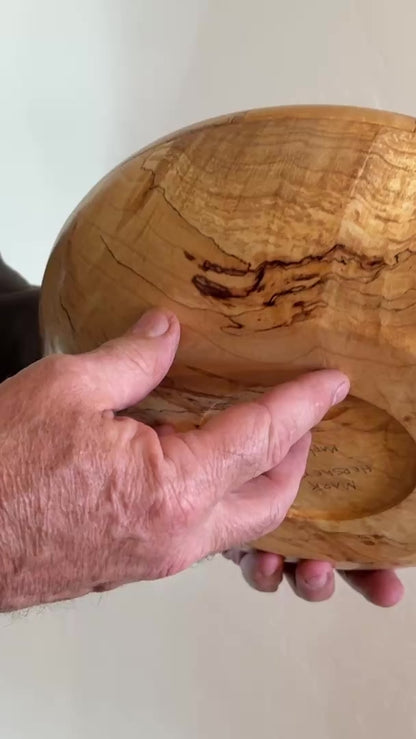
(84, 84)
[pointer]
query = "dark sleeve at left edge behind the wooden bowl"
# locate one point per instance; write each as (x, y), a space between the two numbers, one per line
(19, 324)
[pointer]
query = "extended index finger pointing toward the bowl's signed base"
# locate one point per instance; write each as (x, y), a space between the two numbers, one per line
(249, 439)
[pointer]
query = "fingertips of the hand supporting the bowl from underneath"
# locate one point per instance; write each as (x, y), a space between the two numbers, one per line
(312, 580)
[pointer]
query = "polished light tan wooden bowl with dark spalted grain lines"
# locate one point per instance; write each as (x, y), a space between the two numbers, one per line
(284, 240)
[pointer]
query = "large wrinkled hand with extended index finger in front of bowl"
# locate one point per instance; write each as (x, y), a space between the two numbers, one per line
(90, 500)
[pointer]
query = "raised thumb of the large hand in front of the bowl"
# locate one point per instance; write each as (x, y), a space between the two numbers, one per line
(125, 370)
